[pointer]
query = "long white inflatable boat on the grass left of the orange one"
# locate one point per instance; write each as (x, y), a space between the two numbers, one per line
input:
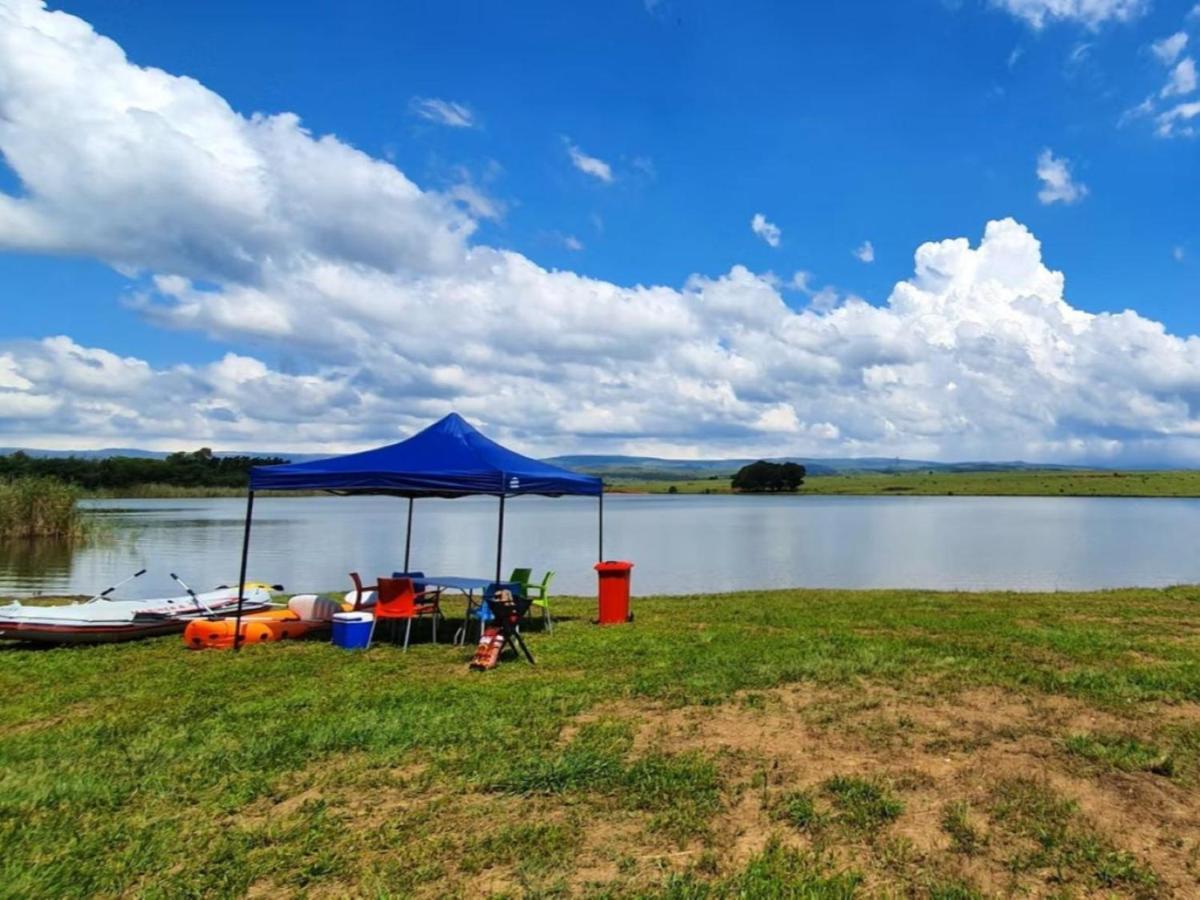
(100, 620)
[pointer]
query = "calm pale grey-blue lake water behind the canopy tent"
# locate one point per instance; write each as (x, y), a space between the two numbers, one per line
(680, 544)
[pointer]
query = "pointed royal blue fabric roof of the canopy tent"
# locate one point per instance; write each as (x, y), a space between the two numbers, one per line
(449, 459)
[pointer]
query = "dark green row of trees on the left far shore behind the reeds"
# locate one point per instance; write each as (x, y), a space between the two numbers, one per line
(200, 469)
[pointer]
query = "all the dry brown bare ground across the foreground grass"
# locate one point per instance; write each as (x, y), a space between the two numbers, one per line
(931, 749)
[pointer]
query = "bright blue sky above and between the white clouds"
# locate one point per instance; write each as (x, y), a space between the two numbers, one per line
(839, 124)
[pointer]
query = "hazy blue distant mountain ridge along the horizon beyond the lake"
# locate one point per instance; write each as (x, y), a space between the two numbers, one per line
(645, 469)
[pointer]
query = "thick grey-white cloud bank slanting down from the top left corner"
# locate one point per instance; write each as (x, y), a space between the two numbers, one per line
(185, 184)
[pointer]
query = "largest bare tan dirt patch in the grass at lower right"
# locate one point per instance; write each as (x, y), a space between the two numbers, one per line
(935, 751)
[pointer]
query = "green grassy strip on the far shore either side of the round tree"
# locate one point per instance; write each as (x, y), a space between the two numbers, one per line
(1035, 483)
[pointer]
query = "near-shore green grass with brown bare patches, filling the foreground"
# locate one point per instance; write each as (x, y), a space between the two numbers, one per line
(802, 743)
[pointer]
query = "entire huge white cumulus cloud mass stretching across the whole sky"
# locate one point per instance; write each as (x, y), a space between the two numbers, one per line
(979, 355)
